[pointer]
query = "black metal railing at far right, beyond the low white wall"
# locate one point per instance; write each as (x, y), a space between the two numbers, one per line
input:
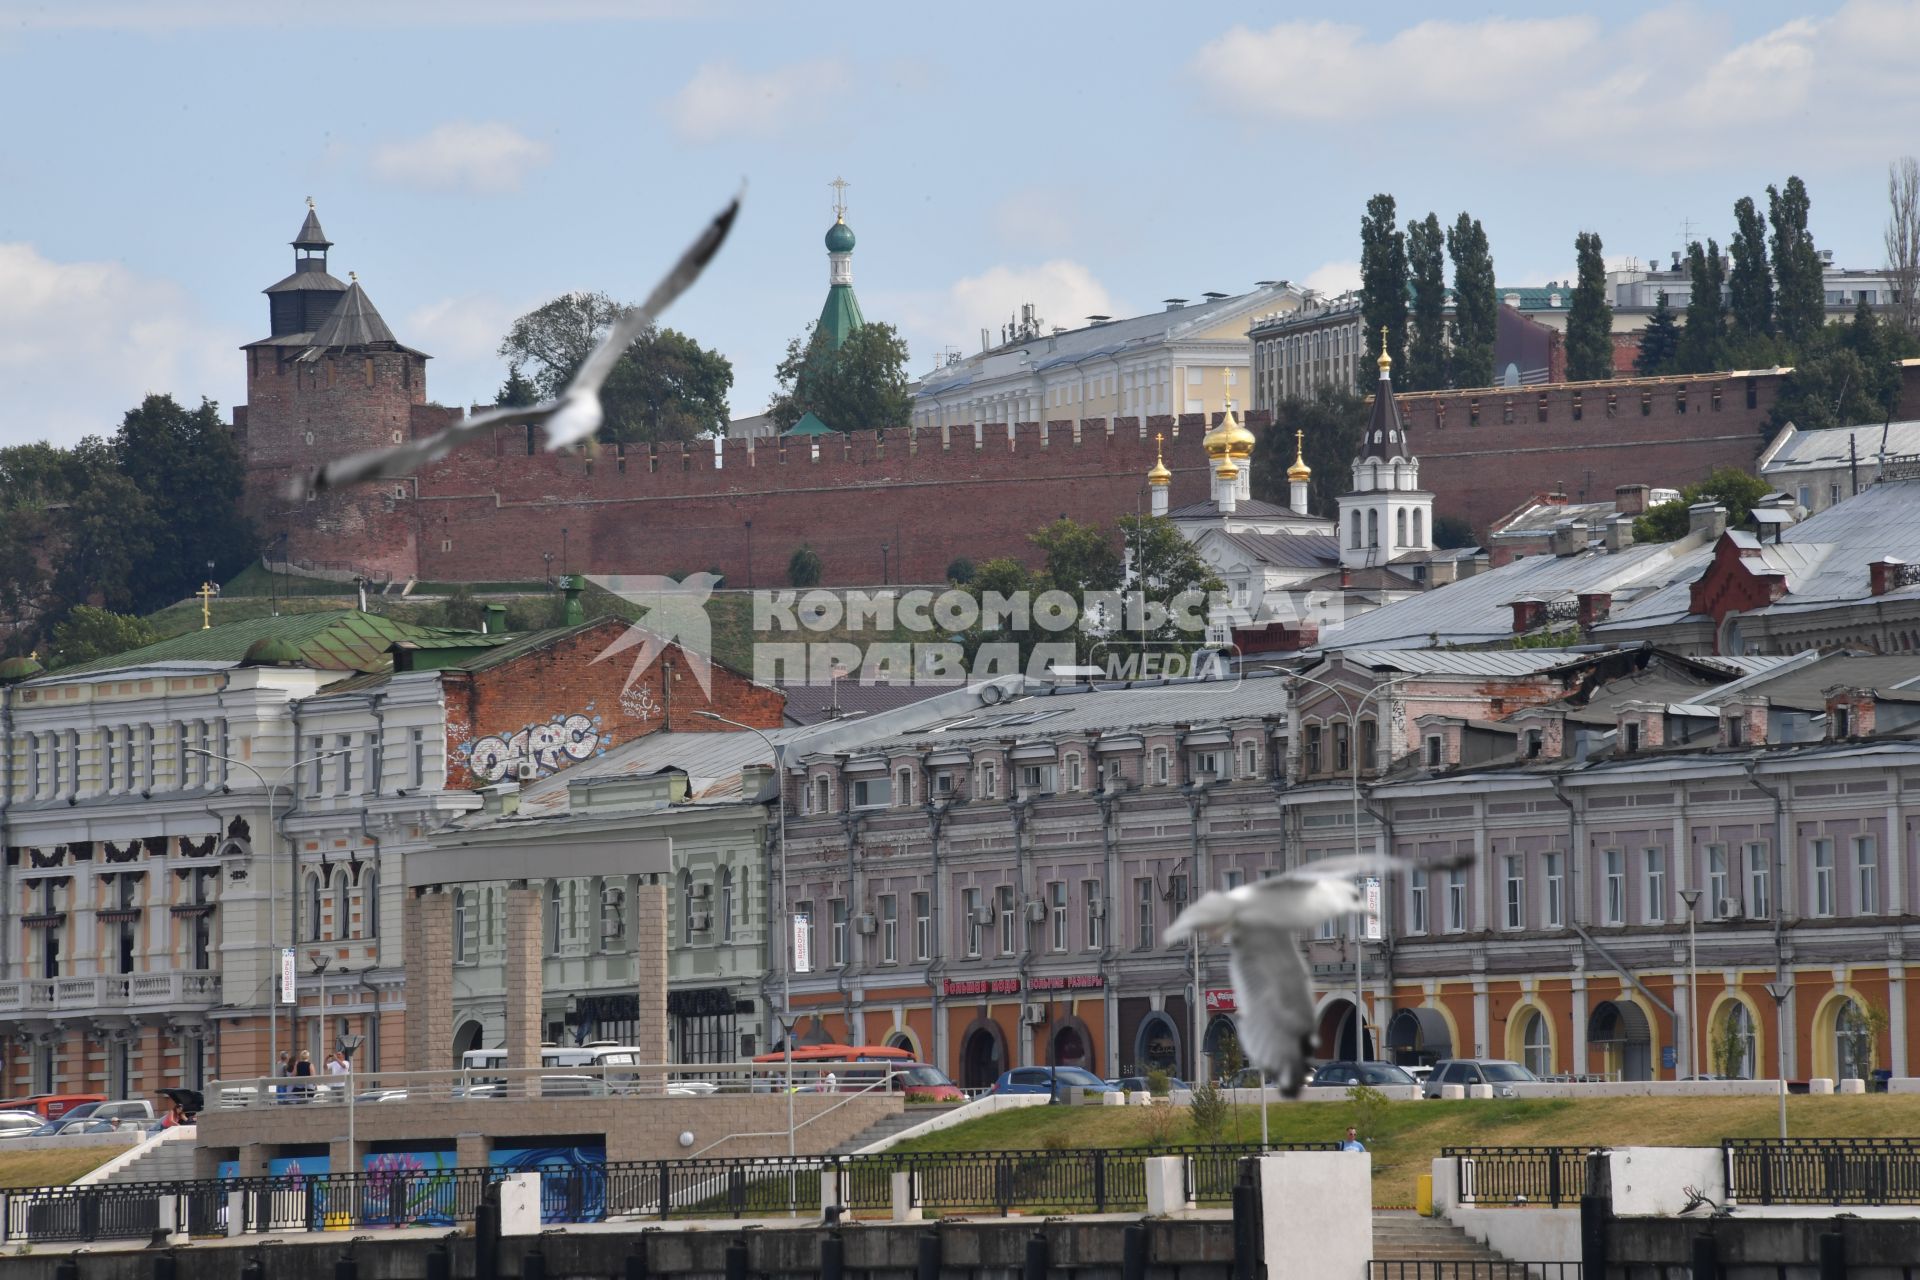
(1823, 1172)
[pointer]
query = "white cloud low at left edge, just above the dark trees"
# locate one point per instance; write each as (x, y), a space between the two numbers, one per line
(85, 343)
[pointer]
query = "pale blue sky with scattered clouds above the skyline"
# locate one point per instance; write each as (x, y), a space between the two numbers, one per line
(473, 162)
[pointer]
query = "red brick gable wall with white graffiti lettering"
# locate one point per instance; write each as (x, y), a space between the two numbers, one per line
(558, 707)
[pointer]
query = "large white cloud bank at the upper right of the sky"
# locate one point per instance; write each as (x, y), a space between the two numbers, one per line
(1669, 89)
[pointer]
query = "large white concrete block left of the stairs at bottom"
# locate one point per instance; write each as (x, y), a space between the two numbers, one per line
(1324, 1198)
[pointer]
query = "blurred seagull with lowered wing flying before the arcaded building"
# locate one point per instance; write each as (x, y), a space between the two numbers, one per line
(1262, 926)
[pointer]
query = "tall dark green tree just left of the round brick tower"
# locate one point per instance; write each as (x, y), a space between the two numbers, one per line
(187, 465)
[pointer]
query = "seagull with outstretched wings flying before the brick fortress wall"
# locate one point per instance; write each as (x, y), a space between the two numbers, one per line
(569, 419)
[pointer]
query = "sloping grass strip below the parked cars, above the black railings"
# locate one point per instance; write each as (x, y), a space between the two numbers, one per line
(1408, 1135)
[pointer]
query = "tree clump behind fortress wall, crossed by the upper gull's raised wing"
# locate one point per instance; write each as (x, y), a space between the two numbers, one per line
(665, 385)
